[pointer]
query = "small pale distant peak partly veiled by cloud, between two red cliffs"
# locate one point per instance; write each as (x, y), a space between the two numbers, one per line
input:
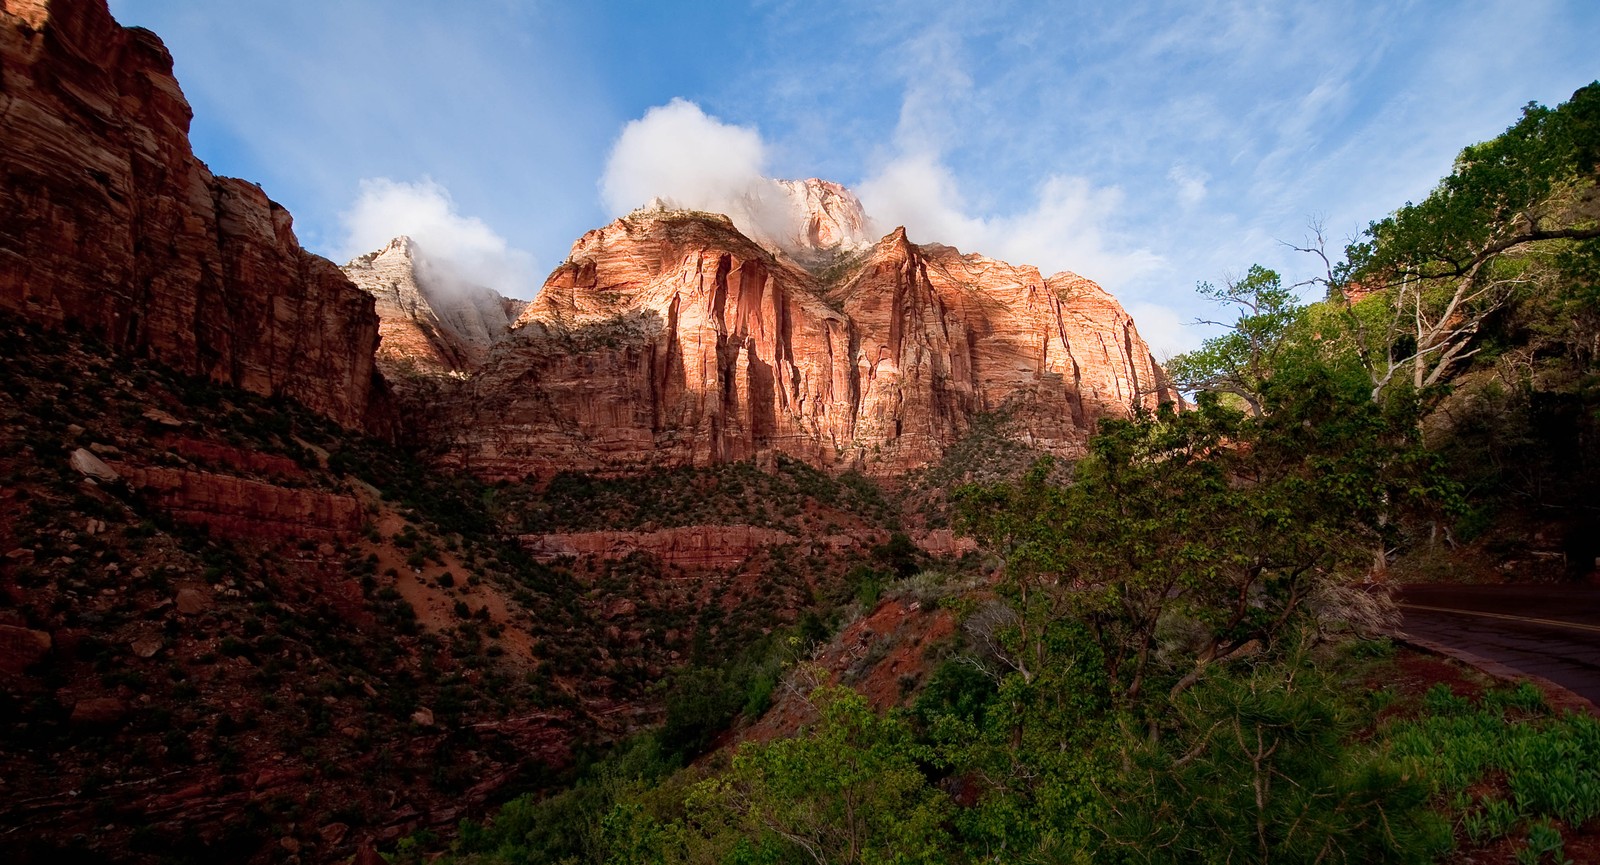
(428, 325)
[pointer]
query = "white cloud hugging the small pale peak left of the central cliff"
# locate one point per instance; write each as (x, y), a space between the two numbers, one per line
(458, 250)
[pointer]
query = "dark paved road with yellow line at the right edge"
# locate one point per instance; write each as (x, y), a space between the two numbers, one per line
(1548, 631)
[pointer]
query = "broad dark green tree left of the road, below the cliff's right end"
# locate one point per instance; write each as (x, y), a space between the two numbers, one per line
(1190, 540)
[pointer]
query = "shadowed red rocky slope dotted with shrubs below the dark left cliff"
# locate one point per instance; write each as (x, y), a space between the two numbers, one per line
(214, 607)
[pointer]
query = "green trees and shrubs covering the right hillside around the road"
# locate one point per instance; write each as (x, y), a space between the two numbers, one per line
(1170, 666)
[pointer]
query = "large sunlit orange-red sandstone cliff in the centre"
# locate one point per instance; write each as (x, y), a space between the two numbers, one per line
(671, 338)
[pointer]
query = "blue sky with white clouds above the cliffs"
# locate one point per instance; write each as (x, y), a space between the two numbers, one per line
(1145, 145)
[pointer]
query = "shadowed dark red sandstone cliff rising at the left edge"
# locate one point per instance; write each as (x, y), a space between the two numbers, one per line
(110, 223)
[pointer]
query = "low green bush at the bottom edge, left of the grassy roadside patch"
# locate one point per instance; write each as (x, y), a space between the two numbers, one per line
(1260, 770)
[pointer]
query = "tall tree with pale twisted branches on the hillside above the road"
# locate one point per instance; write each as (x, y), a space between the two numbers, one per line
(1433, 274)
